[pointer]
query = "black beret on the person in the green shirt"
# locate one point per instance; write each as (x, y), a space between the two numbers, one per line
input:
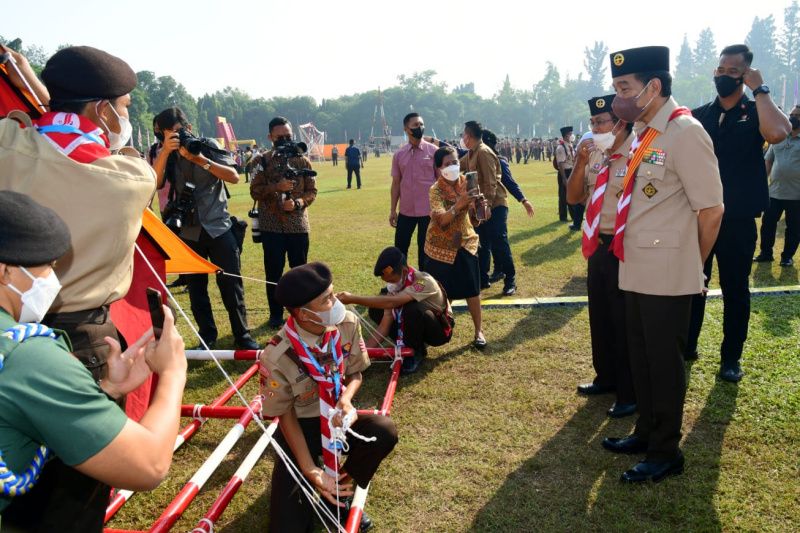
(30, 233)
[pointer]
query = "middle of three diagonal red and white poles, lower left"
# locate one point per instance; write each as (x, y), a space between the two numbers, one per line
(179, 504)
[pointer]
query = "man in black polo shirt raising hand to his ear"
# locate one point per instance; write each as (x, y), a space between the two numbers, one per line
(738, 126)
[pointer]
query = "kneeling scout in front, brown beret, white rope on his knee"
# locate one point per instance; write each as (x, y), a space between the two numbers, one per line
(316, 359)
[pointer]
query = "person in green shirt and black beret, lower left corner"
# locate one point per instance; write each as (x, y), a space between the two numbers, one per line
(61, 432)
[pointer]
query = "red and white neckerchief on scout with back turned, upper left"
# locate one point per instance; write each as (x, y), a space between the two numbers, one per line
(74, 135)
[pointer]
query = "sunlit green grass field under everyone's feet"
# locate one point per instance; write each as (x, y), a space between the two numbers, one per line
(499, 441)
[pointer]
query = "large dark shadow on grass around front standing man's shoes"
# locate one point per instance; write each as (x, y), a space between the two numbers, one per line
(571, 484)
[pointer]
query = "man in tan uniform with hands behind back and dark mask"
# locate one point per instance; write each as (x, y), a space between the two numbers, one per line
(667, 221)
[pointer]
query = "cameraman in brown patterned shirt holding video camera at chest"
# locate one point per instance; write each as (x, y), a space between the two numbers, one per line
(284, 188)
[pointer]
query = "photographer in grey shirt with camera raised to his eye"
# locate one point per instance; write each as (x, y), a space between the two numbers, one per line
(198, 213)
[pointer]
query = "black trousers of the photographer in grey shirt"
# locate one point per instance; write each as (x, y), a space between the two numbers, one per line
(224, 252)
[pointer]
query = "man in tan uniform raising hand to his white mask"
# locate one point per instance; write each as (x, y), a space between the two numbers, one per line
(597, 179)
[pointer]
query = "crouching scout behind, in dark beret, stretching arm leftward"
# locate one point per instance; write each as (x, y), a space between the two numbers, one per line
(415, 309)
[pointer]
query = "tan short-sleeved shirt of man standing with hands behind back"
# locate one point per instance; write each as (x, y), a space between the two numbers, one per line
(678, 176)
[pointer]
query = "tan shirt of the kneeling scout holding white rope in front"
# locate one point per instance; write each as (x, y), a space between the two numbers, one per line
(285, 382)
